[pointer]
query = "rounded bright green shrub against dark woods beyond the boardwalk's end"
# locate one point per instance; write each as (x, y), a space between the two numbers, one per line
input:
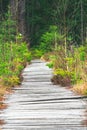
(47, 41)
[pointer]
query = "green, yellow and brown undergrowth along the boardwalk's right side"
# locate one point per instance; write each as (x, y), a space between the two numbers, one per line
(69, 62)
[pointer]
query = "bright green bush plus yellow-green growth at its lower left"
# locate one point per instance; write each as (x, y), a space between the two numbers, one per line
(47, 41)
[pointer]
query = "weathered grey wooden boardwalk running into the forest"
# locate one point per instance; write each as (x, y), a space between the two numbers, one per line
(40, 105)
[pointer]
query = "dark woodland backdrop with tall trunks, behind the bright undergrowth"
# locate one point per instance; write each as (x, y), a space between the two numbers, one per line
(34, 17)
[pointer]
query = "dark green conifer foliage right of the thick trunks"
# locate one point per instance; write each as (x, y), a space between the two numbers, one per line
(67, 14)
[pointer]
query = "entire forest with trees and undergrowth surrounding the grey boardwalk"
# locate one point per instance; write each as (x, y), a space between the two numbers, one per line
(53, 30)
